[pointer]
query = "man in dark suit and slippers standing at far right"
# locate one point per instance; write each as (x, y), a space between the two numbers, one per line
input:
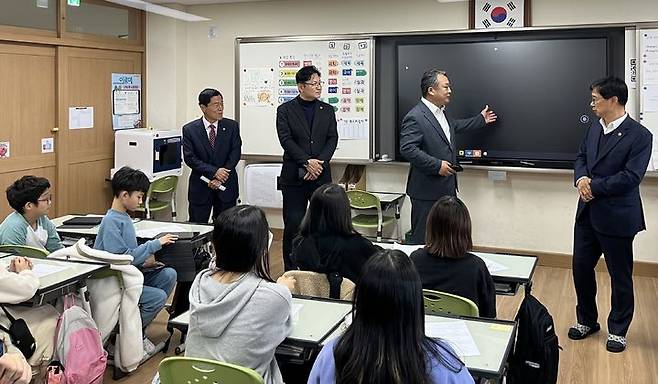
(610, 165)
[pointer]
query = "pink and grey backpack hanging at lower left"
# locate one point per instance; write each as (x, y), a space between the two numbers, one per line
(78, 345)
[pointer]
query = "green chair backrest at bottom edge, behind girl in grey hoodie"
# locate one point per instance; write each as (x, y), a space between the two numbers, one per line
(177, 370)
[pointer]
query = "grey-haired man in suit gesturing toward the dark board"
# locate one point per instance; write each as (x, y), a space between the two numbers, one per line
(427, 141)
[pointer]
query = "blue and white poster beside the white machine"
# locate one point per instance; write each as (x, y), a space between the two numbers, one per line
(126, 100)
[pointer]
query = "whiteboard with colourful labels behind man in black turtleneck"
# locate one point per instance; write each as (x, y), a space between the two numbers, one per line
(266, 79)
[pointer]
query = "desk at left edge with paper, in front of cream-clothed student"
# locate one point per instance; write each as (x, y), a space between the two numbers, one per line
(64, 277)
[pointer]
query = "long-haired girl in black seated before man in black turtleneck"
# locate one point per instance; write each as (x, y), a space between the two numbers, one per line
(327, 241)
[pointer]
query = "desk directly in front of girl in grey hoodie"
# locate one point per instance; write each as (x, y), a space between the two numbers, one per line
(313, 320)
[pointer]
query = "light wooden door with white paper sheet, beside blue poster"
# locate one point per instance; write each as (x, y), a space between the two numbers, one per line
(86, 156)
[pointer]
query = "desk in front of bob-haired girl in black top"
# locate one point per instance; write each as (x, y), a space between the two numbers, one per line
(508, 271)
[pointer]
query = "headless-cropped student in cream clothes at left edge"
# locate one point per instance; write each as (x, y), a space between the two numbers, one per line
(19, 283)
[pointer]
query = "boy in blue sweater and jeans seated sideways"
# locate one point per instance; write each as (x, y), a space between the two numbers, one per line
(116, 234)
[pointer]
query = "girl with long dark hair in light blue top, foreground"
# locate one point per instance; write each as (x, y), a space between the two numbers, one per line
(386, 341)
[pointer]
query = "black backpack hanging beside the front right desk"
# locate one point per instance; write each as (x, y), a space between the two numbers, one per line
(536, 354)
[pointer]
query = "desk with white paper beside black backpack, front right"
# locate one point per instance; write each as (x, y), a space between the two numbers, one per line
(494, 340)
